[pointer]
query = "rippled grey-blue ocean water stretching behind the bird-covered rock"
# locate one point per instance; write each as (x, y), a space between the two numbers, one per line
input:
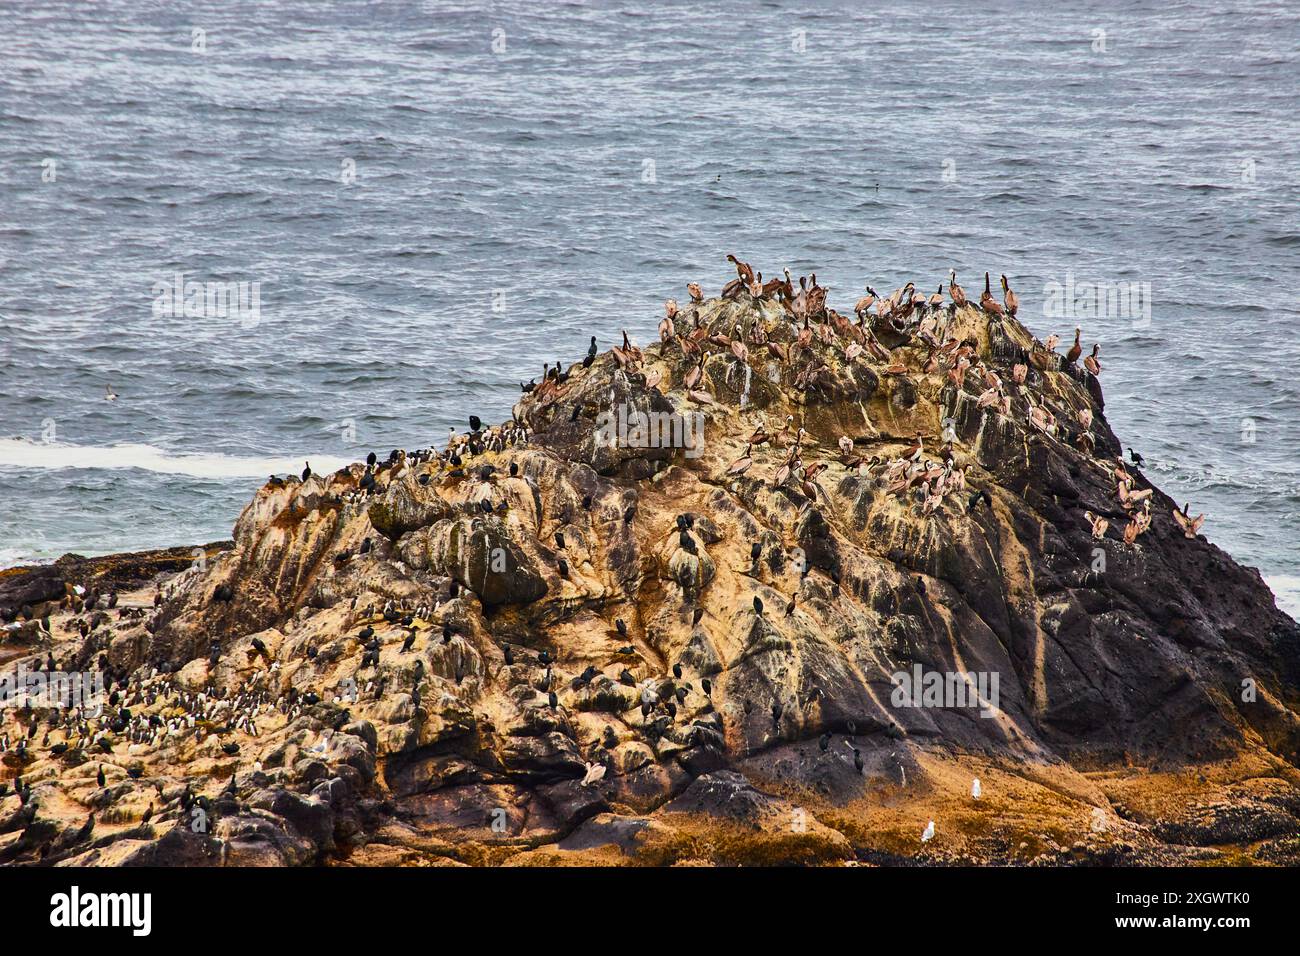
(434, 200)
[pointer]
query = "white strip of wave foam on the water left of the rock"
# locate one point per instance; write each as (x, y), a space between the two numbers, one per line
(23, 453)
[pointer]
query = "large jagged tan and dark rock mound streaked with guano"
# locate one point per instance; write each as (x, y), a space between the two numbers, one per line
(788, 602)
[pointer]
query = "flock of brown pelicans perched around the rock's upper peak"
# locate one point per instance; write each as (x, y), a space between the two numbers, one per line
(924, 322)
